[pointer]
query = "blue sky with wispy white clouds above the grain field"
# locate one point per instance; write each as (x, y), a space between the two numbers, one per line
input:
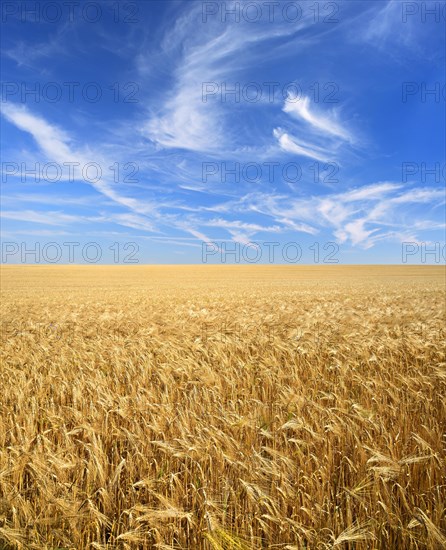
(195, 128)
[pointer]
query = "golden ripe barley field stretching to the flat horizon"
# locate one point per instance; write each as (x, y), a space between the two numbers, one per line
(223, 407)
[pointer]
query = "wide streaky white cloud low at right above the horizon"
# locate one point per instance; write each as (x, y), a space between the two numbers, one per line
(358, 216)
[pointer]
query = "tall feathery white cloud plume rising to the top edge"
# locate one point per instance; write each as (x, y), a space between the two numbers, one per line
(209, 53)
